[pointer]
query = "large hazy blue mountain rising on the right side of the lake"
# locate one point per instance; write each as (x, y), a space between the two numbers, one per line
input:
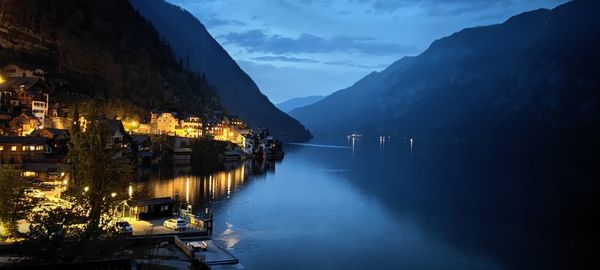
(533, 75)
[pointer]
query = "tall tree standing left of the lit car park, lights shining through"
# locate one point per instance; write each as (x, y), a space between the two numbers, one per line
(100, 176)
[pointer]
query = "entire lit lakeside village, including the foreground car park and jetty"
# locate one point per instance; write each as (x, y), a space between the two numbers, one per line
(35, 134)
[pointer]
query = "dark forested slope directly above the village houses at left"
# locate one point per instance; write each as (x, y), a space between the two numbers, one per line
(102, 50)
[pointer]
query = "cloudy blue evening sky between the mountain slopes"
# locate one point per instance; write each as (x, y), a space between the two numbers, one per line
(296, 48)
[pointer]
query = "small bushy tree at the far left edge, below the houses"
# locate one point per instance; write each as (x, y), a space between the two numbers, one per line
(12, 202)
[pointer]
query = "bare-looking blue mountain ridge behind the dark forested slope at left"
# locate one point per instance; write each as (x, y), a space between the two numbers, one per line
(202, 54)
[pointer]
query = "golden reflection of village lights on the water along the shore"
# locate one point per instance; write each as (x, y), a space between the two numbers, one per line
(198, 189)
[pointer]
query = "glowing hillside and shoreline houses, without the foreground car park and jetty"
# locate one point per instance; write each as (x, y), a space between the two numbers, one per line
(34, 130)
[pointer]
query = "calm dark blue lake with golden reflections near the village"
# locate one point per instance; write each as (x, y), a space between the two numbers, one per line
(380, 203)
